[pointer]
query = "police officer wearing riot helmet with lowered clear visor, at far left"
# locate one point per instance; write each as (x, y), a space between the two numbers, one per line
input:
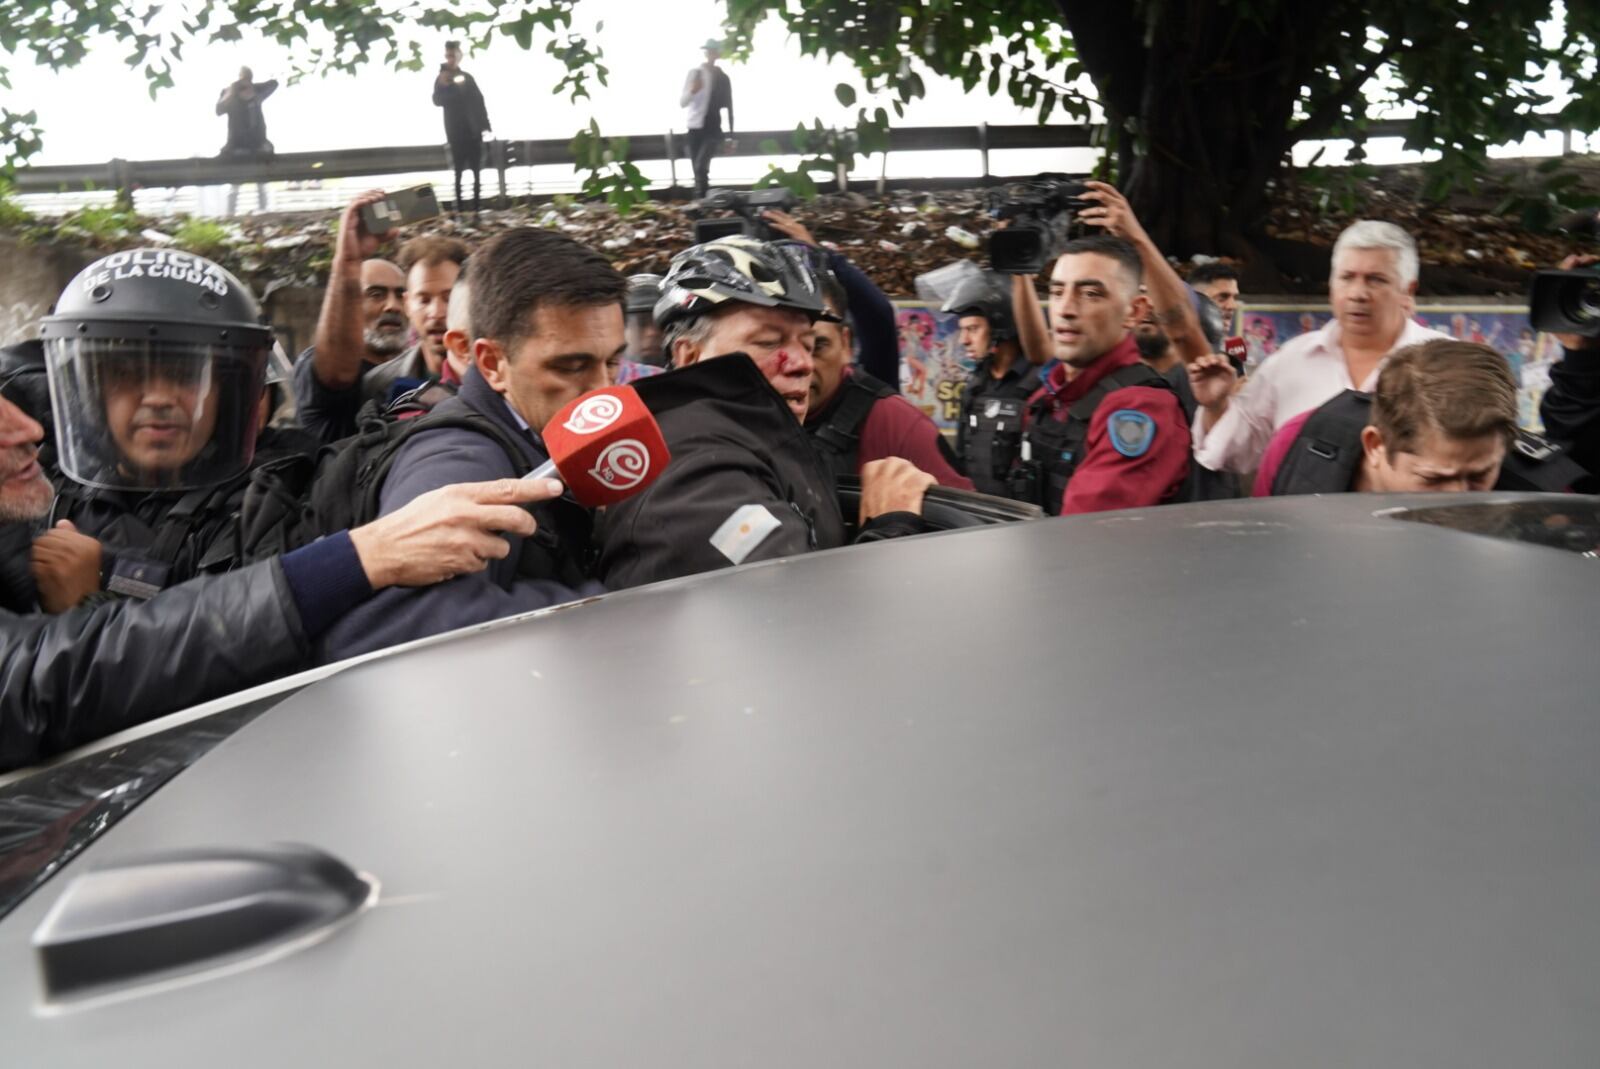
(159, 367)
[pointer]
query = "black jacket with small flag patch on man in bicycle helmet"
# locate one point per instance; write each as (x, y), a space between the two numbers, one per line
(735, 444)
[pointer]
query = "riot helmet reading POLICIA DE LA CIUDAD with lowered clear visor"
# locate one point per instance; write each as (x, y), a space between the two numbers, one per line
(158, 361)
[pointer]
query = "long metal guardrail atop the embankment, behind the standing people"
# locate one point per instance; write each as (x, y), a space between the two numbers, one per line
(129, 175)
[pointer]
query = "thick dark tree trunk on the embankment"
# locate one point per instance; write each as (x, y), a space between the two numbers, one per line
(1202, 111)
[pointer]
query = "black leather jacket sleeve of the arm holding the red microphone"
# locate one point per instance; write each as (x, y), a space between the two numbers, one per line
(76, 678)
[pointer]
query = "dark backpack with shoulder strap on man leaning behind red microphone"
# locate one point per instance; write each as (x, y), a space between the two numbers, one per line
(298, 500)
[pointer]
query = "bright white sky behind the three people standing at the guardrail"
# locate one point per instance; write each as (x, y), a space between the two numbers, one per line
(100, 110)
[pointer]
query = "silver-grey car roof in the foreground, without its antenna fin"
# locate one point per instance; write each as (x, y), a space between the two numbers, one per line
(1281, 783)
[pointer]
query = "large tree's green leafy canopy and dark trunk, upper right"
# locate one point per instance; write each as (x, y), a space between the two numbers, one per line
(1206, 98)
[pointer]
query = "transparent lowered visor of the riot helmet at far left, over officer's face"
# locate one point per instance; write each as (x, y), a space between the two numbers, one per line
(154, 415)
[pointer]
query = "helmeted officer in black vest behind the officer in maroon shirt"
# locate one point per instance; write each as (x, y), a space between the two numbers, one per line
(994, 402)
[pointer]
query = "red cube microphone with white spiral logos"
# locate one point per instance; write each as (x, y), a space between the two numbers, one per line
(606, 447)
